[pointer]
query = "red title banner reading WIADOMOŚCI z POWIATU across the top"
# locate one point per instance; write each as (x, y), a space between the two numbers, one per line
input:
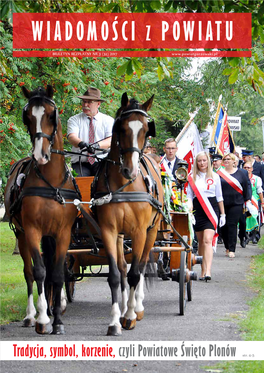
(132, 30)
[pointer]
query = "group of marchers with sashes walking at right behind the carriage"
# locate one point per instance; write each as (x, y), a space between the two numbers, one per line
(226, 196)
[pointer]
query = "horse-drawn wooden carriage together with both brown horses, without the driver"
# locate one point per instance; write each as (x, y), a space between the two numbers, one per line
(62, 230)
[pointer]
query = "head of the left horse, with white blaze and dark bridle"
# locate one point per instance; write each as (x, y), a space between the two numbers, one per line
(40, 115)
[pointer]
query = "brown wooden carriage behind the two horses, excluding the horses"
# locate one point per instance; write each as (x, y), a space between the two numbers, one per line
(86, 255)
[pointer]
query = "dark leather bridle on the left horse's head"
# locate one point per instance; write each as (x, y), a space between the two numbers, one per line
(39, 135)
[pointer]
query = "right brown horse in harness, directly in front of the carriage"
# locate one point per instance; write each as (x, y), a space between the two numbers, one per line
(132, 181)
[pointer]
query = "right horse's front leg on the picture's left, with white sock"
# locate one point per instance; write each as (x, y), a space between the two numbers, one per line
(110, 244)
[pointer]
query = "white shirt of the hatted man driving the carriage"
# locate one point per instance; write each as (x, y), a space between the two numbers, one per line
(79, 125)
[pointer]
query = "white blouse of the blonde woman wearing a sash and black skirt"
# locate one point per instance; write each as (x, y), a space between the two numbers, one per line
(211, 187)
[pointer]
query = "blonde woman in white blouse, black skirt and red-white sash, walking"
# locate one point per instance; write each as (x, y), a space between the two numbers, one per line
(206, 200)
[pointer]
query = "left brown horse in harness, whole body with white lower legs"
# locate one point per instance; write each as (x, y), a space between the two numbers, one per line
(35, 197)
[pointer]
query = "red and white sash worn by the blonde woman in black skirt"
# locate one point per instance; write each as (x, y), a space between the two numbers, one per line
(207, 207)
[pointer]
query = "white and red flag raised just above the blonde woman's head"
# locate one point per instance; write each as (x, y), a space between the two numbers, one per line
(189, 143)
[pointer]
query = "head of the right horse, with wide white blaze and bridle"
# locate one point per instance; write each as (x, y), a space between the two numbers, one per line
(131, 129)
